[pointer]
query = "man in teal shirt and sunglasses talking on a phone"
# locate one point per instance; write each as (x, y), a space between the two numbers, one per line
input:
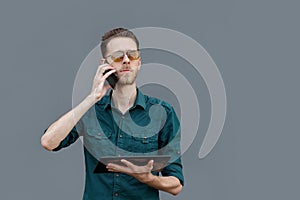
(113, 112)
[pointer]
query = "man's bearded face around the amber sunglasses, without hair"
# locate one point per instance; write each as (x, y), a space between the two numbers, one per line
(127, 69)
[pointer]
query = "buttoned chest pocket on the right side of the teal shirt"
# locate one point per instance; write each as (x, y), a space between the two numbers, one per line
(144, 143)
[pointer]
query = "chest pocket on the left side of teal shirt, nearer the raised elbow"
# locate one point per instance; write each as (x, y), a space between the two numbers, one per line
(98, 143)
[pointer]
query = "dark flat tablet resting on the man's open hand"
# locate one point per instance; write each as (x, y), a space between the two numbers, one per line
(160, 161)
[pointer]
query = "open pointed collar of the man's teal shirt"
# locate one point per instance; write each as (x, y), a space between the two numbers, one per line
(106, 101)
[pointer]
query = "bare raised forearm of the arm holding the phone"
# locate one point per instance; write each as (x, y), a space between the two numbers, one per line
(60, 128)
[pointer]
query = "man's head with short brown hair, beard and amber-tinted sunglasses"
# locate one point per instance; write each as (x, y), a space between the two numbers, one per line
(120, 49)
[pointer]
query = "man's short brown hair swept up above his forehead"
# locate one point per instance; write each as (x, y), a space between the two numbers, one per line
(117, 32)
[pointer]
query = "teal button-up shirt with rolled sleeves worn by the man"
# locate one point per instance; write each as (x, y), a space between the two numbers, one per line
(149, 127)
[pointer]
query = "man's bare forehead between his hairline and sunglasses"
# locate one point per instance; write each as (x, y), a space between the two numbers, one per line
(120, 44)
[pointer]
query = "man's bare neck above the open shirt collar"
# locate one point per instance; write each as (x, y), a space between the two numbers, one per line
(124, 96)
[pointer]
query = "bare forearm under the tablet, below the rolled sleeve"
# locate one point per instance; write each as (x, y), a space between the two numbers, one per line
(168, 184)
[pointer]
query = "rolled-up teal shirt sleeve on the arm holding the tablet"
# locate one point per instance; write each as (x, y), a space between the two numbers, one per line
(169, 144)
